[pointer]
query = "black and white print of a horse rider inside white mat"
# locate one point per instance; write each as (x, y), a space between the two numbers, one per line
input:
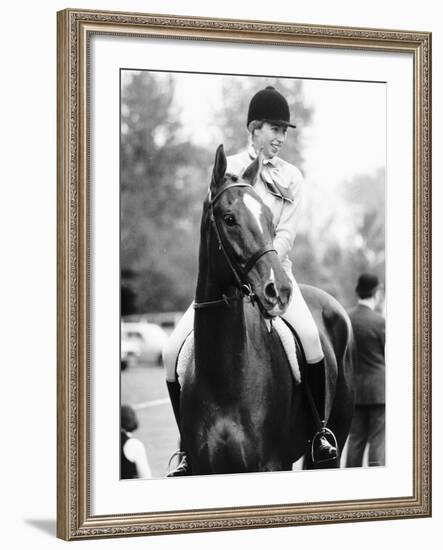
(252, 273)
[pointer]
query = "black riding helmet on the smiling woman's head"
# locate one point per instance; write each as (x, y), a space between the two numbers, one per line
(268, 105)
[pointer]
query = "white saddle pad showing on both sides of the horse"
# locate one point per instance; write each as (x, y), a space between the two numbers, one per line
(287, 335)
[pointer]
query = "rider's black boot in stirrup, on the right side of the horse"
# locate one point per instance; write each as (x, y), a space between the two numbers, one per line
(323, 444)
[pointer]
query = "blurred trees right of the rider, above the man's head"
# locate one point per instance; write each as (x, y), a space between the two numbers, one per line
(342, 235)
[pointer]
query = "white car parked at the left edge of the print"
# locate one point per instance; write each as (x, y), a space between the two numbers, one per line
(141, 342)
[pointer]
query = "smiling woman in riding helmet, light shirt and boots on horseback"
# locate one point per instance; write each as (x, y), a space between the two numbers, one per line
(279, 184)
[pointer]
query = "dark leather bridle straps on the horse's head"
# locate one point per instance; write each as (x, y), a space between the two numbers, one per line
(240, 273)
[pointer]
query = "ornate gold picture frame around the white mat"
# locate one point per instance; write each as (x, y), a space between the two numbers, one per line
(77, 518)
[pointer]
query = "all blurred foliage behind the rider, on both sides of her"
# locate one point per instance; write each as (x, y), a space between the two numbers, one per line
(165, 175)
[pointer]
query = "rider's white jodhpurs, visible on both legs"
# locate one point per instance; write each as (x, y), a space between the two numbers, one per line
(297, 315)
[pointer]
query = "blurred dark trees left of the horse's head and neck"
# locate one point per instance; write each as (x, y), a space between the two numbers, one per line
(161, 178)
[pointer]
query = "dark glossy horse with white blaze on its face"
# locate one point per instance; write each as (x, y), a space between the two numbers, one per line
(241, 410)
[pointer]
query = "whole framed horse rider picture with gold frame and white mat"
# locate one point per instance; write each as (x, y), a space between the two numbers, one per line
(244, 293)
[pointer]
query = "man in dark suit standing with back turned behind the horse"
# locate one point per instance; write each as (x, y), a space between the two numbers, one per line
(368, 425)
